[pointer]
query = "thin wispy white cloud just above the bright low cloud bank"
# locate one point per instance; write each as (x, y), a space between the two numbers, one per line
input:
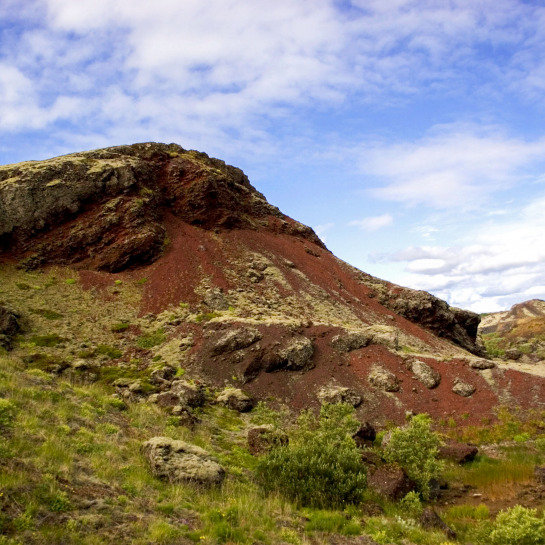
(454, 166)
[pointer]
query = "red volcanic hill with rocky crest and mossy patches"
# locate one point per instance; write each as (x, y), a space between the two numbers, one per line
(238, 293)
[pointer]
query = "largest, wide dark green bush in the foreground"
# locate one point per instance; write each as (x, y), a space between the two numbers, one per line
(321, 466)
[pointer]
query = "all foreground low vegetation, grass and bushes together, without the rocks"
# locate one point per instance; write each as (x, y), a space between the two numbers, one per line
(72, 470)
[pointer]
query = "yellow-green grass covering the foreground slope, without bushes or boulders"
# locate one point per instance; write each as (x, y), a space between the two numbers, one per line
(71, 470)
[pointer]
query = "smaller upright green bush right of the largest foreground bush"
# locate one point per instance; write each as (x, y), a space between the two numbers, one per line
(414, 447)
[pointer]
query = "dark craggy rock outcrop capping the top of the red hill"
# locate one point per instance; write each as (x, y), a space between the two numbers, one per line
(119, 197)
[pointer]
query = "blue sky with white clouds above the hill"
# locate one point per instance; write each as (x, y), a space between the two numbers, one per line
(409, 134)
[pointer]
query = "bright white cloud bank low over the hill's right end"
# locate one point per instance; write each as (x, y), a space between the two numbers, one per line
(503, 264)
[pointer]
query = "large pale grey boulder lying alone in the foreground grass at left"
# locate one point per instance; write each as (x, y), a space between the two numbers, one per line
(177, 461)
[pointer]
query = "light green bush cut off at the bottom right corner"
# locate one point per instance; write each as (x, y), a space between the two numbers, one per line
(518, 526)
